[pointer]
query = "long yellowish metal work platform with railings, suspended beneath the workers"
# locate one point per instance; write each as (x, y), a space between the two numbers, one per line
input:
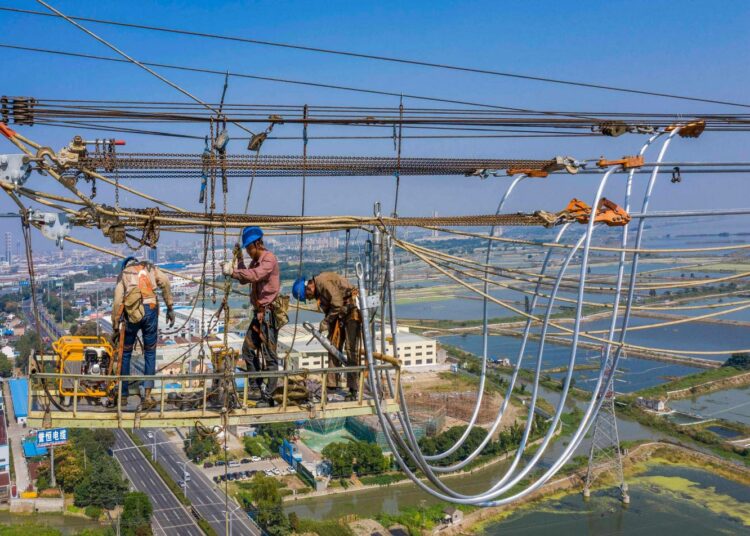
(186, 399)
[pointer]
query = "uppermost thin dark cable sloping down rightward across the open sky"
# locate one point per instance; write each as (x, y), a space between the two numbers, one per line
(389, 59)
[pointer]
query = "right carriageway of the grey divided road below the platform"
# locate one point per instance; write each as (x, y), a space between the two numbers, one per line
(202, 492)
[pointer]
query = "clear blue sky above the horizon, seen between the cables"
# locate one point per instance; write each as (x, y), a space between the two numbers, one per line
(689, 47)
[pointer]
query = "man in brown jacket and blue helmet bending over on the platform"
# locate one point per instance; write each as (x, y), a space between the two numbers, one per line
(336, 298)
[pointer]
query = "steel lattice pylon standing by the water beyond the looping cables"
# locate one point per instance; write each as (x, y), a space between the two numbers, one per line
(605, 455)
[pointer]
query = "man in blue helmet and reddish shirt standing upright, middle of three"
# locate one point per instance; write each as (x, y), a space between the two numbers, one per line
(263, 276)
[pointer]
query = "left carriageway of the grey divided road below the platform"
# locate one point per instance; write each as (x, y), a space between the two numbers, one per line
(170, 517)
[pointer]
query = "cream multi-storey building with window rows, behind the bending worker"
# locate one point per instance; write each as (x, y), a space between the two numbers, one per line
(416, 352)
